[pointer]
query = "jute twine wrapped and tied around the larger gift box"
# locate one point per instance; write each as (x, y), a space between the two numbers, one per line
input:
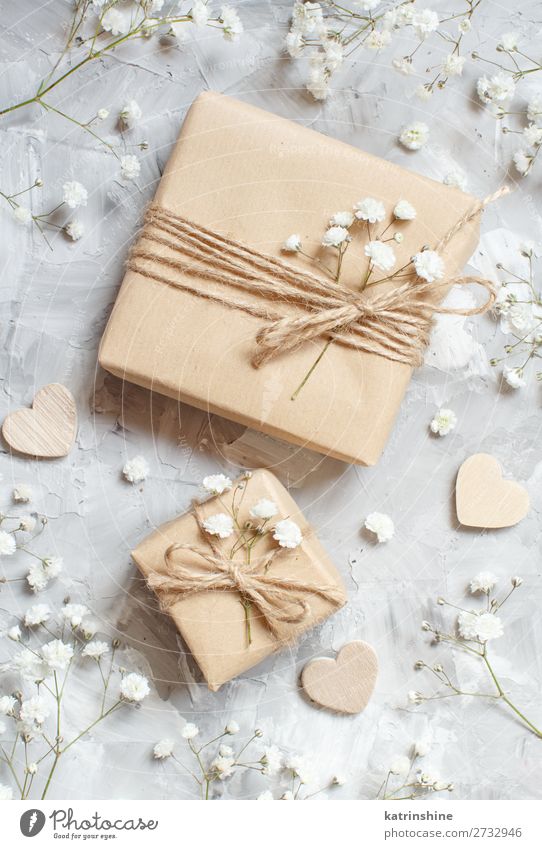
(394, 324)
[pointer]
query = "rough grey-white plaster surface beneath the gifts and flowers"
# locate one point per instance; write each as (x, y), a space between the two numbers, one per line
(54, 305)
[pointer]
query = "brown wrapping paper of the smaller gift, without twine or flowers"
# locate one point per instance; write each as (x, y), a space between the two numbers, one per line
(212, 622)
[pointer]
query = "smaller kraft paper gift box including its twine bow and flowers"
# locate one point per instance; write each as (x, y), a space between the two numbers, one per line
(242, 575)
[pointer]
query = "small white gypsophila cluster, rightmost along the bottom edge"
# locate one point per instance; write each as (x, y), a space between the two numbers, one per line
(409, 778)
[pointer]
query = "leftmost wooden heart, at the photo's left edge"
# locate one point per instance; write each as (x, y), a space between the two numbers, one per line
(46, 430)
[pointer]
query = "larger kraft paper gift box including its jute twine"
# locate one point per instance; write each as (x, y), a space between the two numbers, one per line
(215, 313)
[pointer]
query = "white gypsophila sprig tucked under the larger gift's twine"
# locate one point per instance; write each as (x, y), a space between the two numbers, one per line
(366, 222)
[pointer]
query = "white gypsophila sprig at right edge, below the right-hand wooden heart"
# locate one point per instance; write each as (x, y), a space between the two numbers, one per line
(474, 631)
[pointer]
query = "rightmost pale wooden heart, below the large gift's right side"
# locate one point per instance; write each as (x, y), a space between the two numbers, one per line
(484, 499)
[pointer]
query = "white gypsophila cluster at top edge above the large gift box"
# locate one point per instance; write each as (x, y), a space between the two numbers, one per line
(325, 35)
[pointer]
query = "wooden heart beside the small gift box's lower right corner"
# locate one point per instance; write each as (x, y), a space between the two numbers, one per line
(345, 684)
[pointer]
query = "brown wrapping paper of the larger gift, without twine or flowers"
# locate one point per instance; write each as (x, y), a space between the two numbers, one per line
(256, 178)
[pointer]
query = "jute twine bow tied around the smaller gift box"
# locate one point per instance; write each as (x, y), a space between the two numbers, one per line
(282, 601)
